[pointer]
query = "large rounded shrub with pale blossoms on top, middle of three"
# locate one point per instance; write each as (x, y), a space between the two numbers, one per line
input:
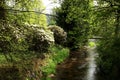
(39, 39)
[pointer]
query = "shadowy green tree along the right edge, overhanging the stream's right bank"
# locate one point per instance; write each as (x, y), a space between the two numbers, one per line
(107, 21)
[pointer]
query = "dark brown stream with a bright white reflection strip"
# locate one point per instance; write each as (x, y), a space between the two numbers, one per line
(79, 68)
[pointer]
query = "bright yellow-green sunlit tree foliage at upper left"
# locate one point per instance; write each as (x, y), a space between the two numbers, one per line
(23, 11)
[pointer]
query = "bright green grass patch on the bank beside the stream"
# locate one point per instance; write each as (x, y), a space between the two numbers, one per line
(58, 55)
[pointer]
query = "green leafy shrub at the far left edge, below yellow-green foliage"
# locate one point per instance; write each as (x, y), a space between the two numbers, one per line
(10, 37)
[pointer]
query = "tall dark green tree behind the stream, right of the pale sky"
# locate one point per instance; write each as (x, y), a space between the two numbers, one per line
(73, 17)
